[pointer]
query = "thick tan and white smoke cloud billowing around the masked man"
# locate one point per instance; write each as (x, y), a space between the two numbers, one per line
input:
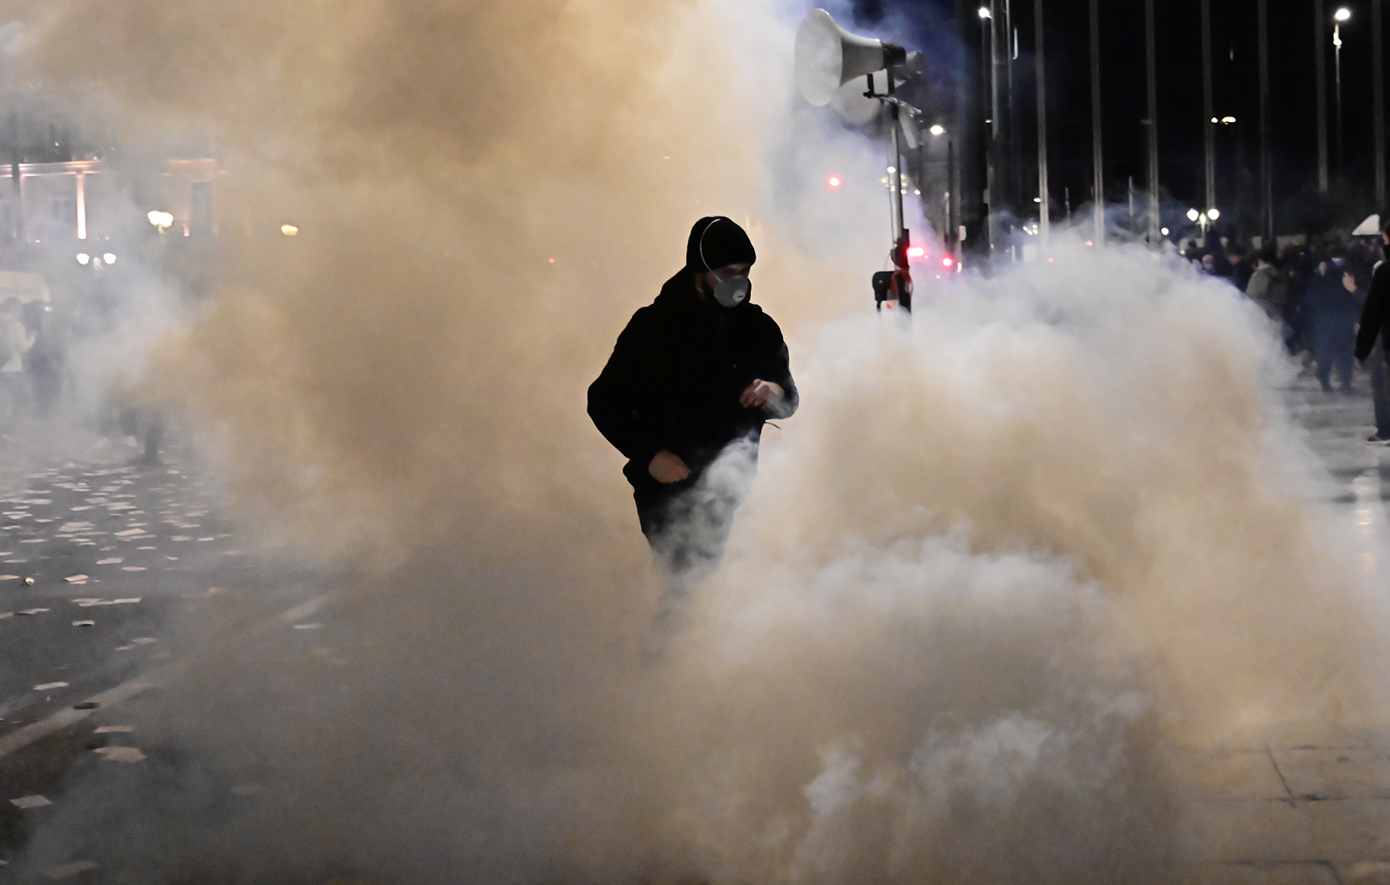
(997, 569)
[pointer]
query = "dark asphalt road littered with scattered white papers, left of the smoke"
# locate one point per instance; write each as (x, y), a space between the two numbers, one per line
(113, 576)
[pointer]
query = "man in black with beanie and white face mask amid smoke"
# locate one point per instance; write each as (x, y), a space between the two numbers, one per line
(686, 394)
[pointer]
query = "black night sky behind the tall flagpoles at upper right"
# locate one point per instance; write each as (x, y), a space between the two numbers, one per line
(929, 26)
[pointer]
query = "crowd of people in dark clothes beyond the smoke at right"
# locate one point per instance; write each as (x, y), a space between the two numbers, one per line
(1320, 298)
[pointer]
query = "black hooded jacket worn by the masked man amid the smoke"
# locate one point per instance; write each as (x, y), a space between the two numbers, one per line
(676, 376)
